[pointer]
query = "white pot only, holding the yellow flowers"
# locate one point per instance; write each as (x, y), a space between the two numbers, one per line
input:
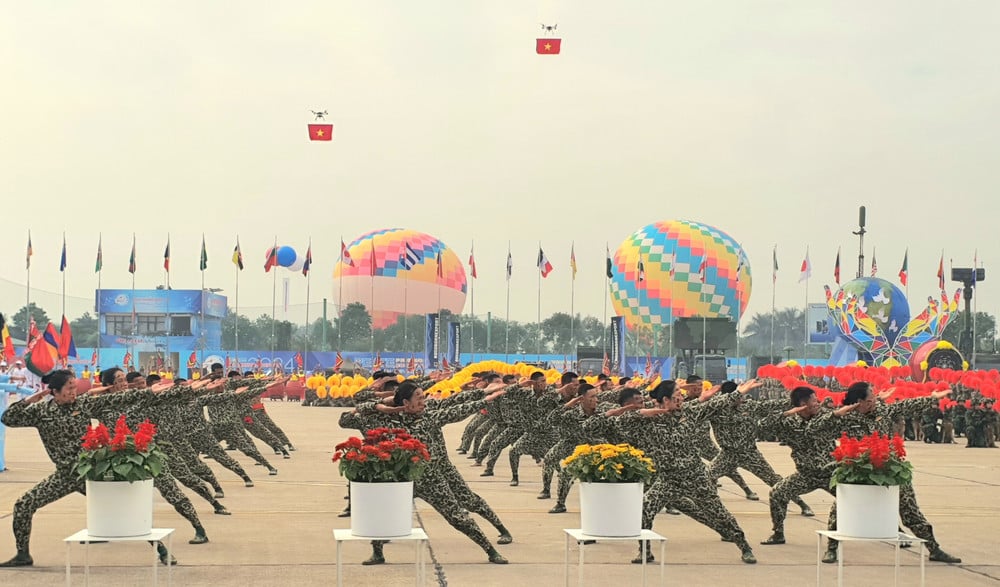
(610, 509)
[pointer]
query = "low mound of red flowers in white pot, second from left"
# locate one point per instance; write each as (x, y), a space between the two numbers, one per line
(381, 468)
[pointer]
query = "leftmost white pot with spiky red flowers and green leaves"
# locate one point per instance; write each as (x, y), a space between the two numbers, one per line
(119, 471)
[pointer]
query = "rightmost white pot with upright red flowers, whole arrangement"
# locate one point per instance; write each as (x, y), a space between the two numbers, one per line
(867, 478)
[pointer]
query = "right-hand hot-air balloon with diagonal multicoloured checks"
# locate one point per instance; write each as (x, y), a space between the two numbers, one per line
(667, 292)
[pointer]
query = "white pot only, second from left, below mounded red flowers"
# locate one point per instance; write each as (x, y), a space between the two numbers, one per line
(381, 510)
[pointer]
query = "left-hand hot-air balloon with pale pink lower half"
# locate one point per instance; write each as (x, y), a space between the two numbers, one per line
(422, 289)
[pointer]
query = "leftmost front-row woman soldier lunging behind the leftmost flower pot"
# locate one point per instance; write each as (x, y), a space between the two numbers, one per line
(61, 423)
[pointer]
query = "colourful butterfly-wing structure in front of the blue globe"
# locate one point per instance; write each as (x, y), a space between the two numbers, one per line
(889, 344)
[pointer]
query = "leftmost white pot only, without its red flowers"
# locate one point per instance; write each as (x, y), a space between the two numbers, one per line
(119, 508)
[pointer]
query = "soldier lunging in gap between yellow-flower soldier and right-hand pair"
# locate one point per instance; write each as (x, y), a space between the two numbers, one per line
(736, 430)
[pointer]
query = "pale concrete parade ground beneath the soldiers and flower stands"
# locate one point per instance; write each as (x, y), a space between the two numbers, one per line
(280, 530)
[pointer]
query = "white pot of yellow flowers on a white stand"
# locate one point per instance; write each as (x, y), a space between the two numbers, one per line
(611, 481)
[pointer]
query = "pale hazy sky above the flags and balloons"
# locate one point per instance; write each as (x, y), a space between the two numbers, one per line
(772, 121)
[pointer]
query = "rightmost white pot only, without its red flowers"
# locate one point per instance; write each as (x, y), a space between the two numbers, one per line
(867, 511)
